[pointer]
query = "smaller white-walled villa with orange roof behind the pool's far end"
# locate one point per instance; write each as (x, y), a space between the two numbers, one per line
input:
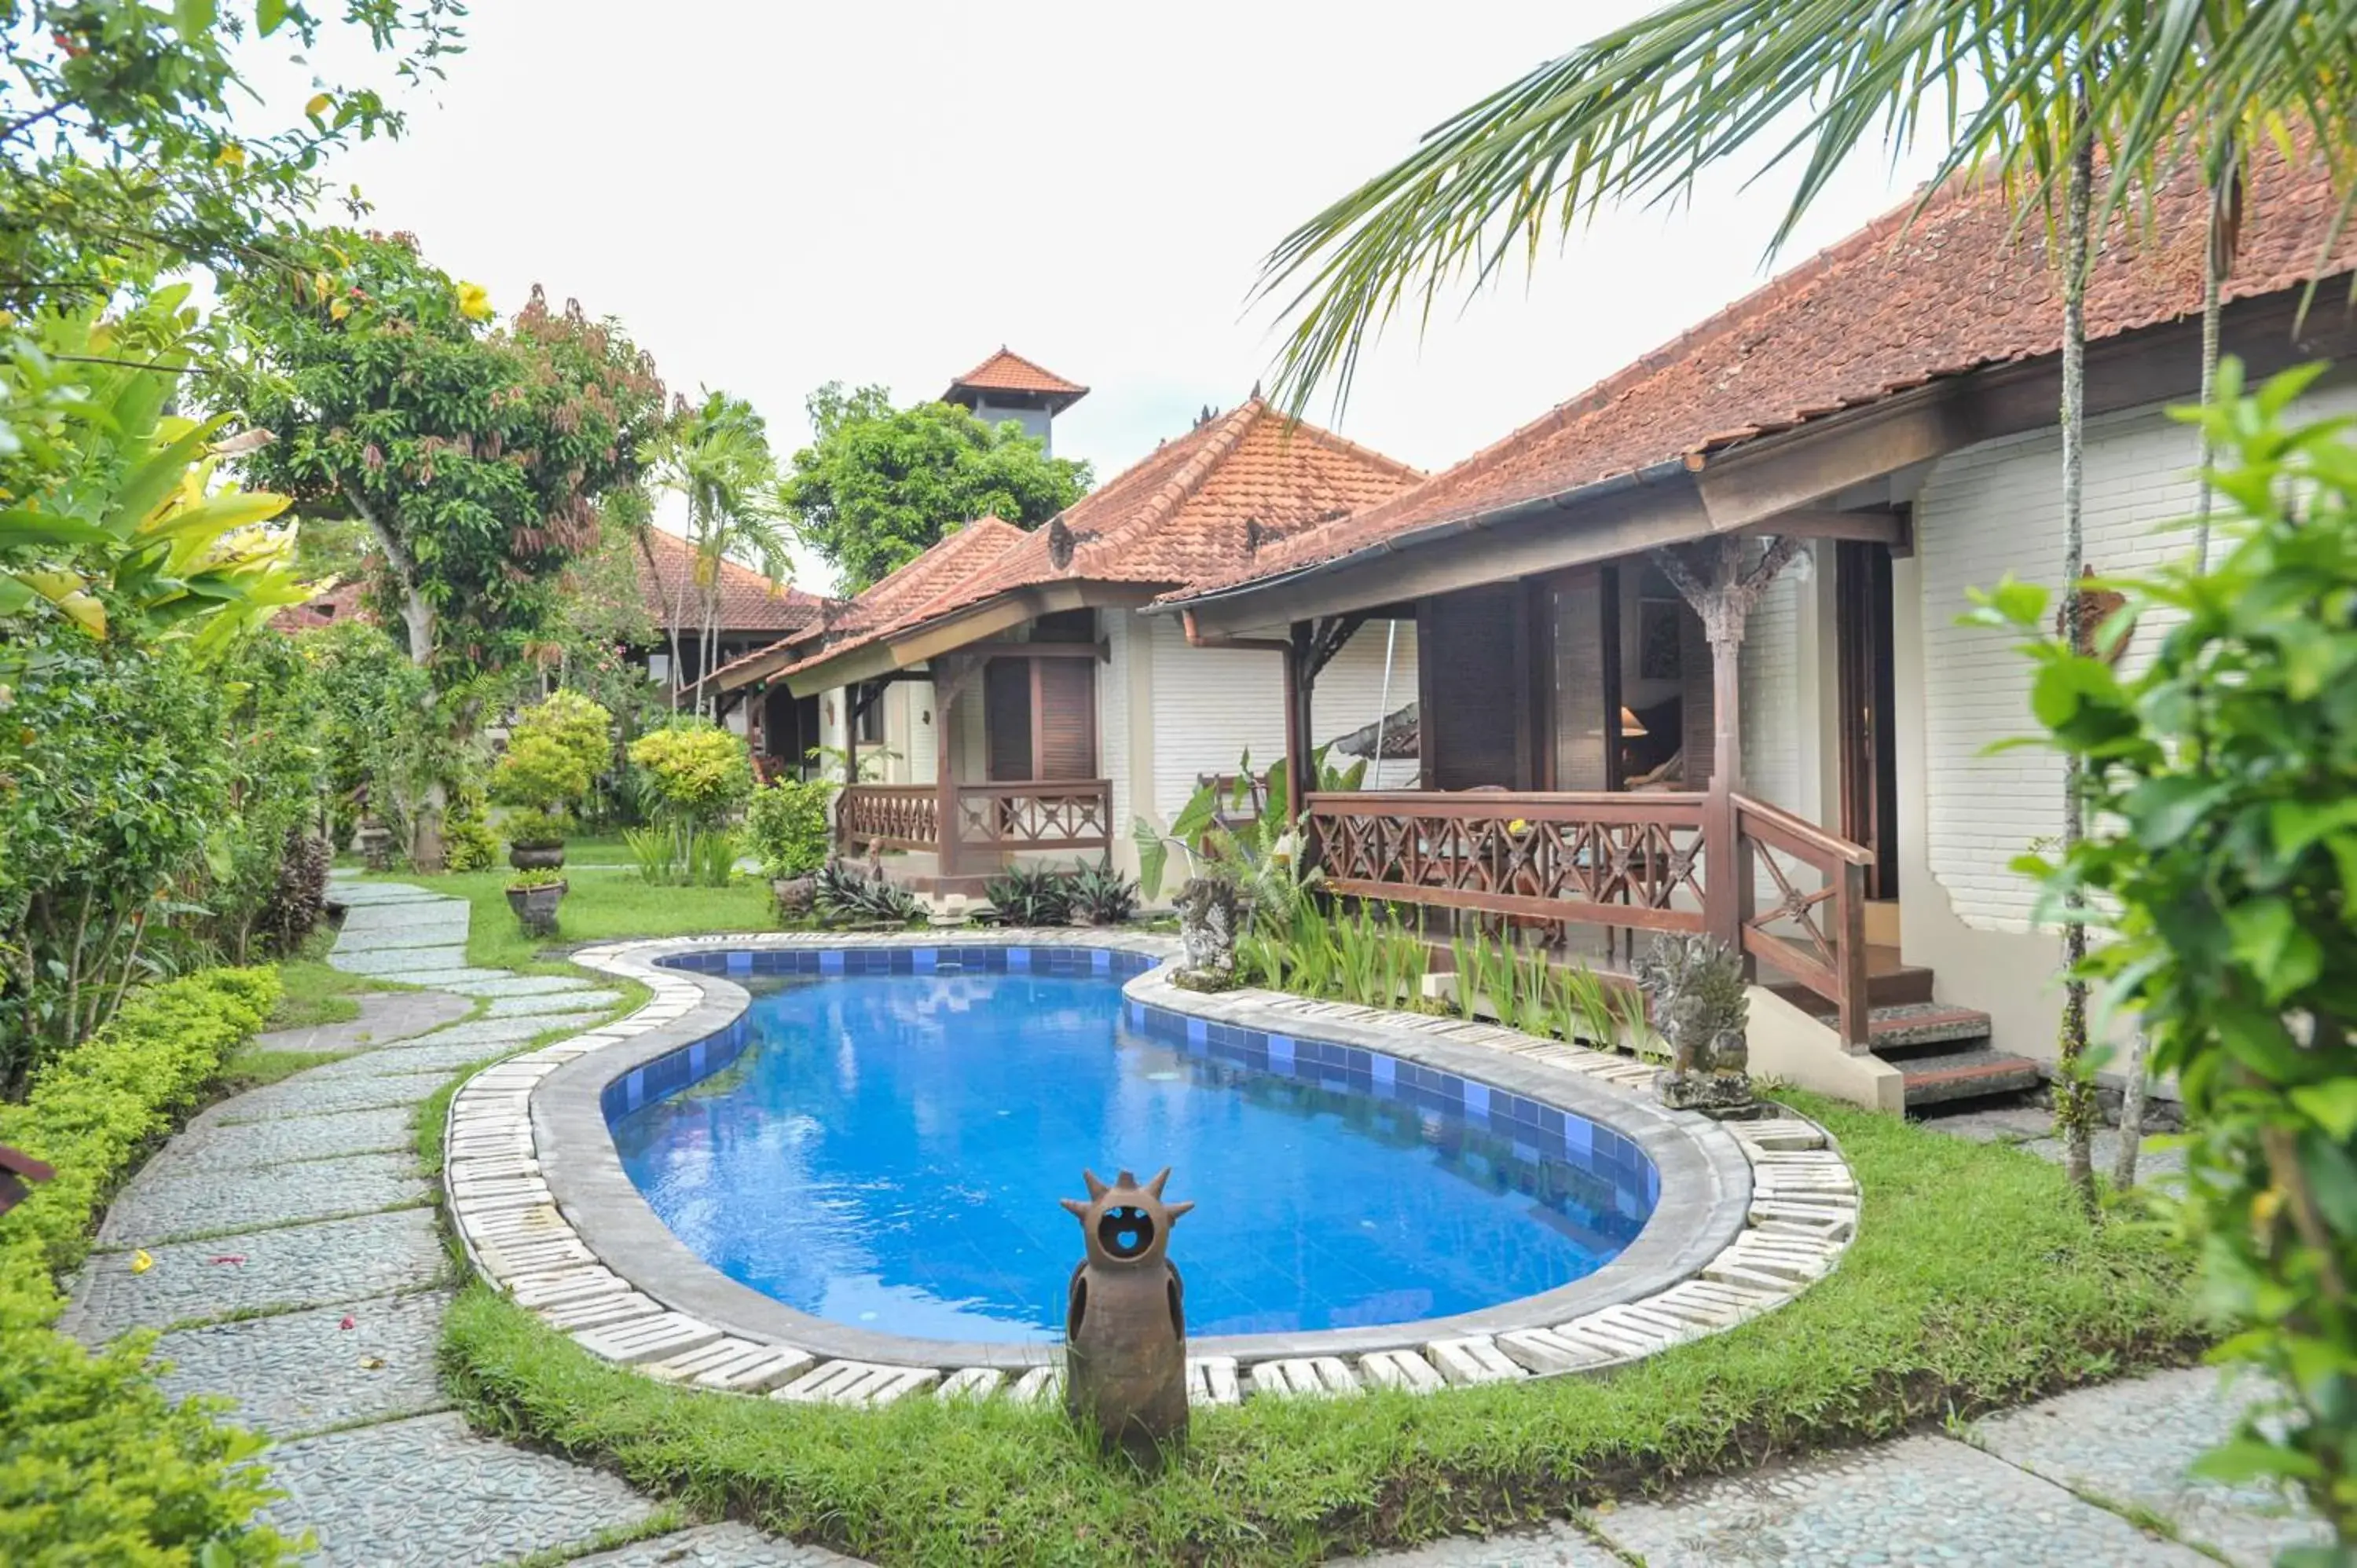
(1008, 685)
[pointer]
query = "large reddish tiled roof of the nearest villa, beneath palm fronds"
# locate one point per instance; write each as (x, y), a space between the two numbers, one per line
(1896, 305)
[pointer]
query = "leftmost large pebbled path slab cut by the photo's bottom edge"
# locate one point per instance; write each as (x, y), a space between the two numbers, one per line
(428, 1491)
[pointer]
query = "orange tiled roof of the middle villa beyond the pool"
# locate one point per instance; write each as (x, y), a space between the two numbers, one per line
(1201, 506)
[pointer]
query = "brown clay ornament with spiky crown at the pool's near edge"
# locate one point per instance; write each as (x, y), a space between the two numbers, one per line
(1125, 1319)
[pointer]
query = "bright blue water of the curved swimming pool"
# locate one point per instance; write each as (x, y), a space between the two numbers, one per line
(887, 1152)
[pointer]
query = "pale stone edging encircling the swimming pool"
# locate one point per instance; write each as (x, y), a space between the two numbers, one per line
(1750, 1213)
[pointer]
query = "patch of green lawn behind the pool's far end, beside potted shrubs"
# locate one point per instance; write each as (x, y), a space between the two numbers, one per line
(600, 907)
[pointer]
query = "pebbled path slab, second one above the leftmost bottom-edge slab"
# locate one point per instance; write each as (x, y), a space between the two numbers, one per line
(338, 1260)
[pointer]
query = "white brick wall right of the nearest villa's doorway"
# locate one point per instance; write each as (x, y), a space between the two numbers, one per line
(1990, 510)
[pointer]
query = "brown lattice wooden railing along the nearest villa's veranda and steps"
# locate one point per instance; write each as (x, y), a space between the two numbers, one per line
(1620, 862)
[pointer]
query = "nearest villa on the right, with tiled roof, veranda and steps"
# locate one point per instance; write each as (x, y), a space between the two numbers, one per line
(1708, 614)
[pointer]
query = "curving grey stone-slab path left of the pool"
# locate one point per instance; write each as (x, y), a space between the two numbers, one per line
(293, 1260)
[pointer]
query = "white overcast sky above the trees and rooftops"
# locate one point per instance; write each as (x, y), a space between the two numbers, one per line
(774, 197)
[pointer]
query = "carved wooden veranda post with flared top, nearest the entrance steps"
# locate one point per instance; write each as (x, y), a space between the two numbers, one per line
(1712, 579)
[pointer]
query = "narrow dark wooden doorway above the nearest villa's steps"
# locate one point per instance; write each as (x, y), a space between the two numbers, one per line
(1870, 775)
